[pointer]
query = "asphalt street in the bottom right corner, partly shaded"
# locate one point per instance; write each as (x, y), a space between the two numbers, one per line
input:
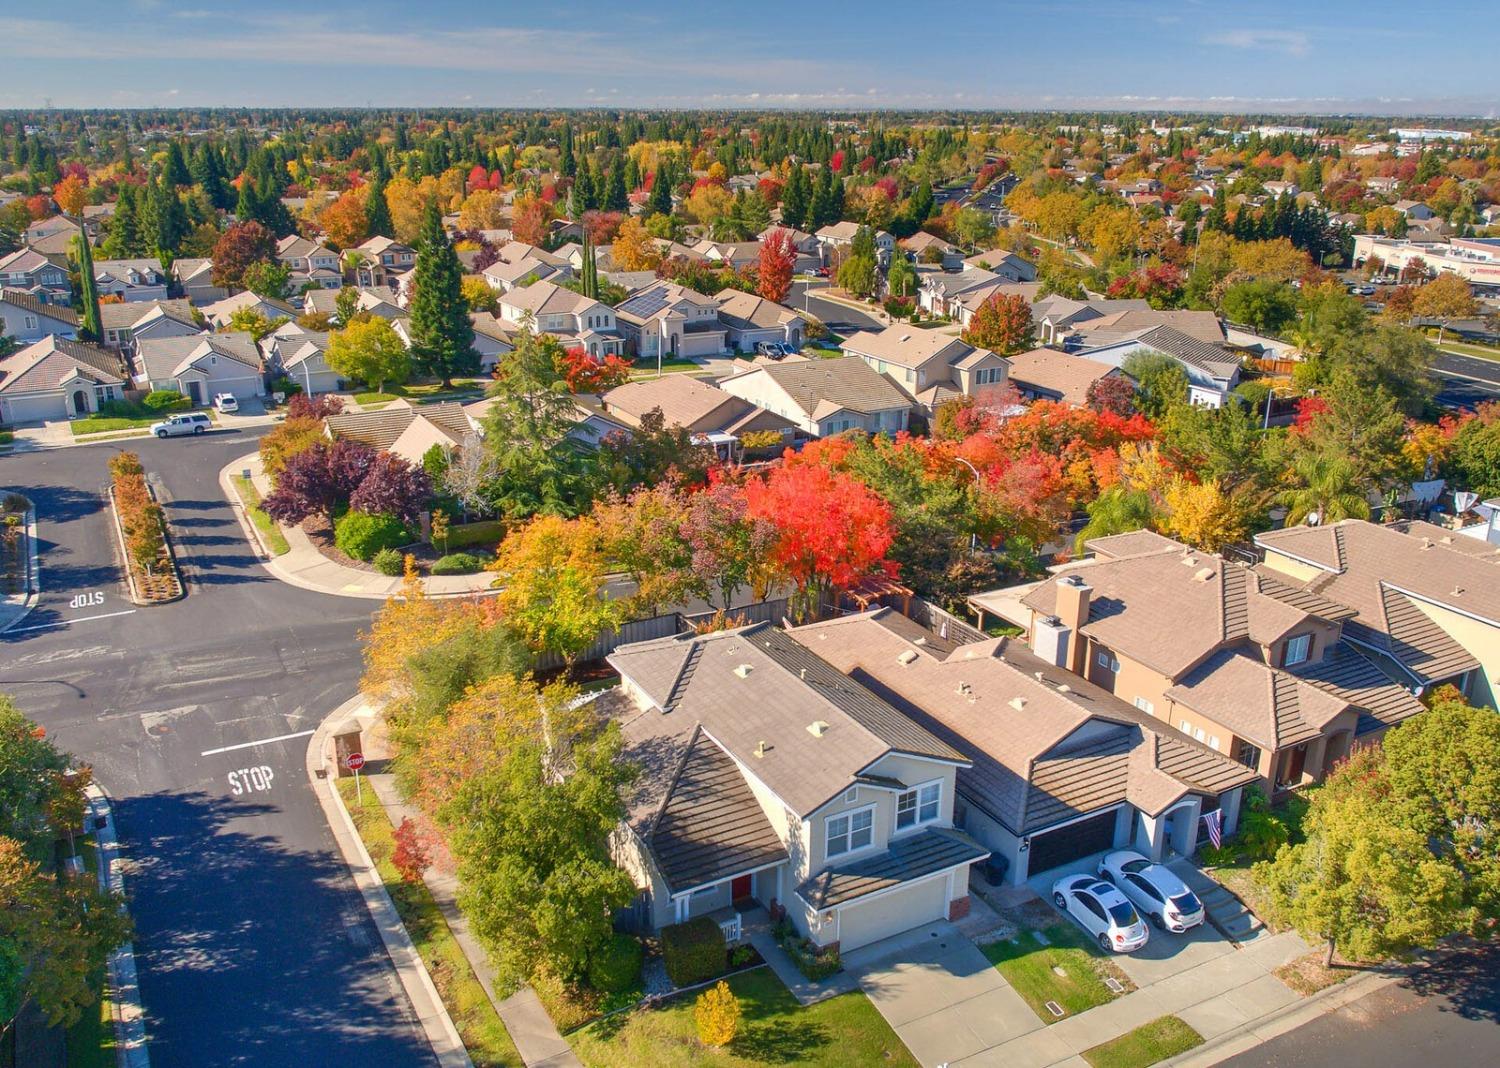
(1447, 1015)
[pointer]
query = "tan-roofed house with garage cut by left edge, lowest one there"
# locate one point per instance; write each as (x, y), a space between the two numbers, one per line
(58, 379)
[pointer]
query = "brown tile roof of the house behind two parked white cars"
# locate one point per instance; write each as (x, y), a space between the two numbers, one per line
(1021, 718)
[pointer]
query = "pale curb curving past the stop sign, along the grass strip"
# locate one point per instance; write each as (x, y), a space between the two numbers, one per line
(424, 997)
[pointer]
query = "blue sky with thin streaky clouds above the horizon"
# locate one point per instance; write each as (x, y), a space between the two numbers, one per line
(1214, 55)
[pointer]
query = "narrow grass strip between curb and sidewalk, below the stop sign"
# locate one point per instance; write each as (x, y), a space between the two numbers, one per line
(484, 1034)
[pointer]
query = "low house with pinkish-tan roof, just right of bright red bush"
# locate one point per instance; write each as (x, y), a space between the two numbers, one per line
(715, 418)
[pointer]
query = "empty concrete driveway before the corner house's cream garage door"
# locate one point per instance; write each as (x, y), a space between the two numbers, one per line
(941, 995)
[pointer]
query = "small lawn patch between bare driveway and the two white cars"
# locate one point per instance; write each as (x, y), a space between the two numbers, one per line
(1028, 965)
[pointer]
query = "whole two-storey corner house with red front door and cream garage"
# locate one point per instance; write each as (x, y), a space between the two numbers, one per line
(769, 775)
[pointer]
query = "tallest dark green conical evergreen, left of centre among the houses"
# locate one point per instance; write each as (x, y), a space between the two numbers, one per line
(442, 332)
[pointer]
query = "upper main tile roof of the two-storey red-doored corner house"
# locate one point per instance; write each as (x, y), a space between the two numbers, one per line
(755, 685)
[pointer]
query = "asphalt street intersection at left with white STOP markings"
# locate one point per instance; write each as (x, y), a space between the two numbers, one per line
(253, 943)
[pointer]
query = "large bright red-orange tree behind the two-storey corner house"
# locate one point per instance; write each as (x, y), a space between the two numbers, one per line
(832, 529)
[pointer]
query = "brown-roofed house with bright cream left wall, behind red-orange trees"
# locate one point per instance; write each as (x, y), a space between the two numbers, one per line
(826, 397)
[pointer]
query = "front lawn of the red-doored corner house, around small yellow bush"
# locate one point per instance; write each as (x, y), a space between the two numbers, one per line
(775, 1030)
